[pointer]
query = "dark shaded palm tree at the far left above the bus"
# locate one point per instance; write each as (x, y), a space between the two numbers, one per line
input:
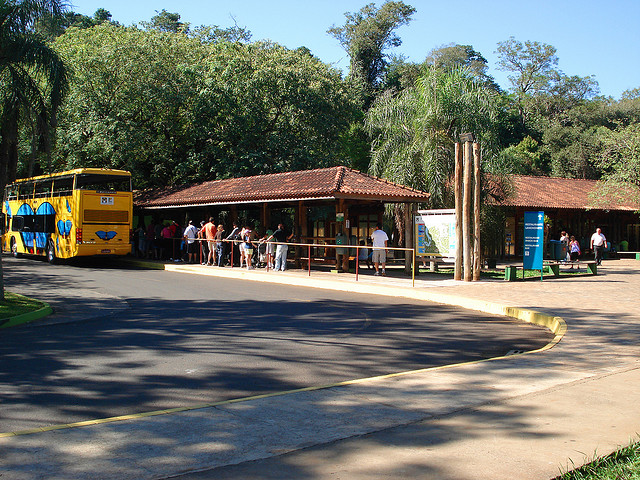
(33, 81)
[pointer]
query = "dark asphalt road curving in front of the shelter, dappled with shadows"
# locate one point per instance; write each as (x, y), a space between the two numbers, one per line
(129, 341)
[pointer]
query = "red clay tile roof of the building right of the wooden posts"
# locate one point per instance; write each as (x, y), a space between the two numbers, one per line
(565, 193)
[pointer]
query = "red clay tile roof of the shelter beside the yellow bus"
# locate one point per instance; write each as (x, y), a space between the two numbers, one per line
(324, 183)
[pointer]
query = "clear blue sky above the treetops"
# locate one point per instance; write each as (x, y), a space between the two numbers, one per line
(592, 37)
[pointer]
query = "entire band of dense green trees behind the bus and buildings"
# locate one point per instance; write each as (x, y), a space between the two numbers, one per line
(177, 104)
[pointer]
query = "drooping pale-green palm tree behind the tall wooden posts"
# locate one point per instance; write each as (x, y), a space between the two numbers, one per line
(415, 130)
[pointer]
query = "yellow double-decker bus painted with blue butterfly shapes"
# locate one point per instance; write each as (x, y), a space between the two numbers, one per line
(82, 212)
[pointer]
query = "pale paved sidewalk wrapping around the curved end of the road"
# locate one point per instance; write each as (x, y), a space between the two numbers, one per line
(519, 417)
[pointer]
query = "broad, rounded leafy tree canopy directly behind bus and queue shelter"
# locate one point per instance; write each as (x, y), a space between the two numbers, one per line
(173, 109)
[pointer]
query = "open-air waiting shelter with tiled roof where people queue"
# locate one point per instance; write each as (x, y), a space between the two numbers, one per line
(316, 205)
